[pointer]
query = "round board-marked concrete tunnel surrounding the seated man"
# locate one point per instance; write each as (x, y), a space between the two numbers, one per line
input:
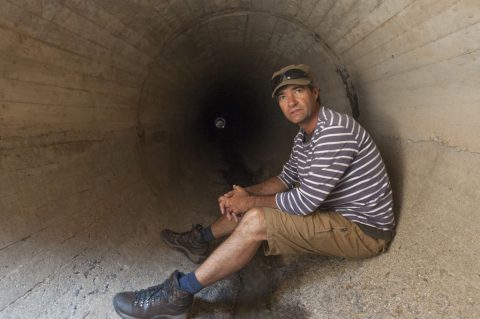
(107, 136)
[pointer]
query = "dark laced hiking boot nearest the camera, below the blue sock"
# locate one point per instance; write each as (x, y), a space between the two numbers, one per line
(164, 301)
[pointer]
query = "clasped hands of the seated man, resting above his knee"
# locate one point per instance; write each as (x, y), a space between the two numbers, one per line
(235, 202)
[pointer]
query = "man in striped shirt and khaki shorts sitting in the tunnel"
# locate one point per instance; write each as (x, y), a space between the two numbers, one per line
(332, 198)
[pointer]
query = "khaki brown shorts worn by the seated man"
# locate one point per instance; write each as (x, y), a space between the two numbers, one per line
(324, 232)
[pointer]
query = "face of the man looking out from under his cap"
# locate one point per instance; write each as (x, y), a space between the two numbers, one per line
(299, 104)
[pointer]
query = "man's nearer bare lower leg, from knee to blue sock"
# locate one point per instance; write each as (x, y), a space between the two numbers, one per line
(237, 250)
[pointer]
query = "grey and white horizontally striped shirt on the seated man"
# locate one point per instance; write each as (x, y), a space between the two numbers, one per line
(340, 169)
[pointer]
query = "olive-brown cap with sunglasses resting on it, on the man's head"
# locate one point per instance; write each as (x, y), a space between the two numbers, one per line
(292, 74)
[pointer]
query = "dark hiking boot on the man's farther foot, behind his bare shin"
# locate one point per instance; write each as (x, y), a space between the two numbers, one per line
(190, 243)
